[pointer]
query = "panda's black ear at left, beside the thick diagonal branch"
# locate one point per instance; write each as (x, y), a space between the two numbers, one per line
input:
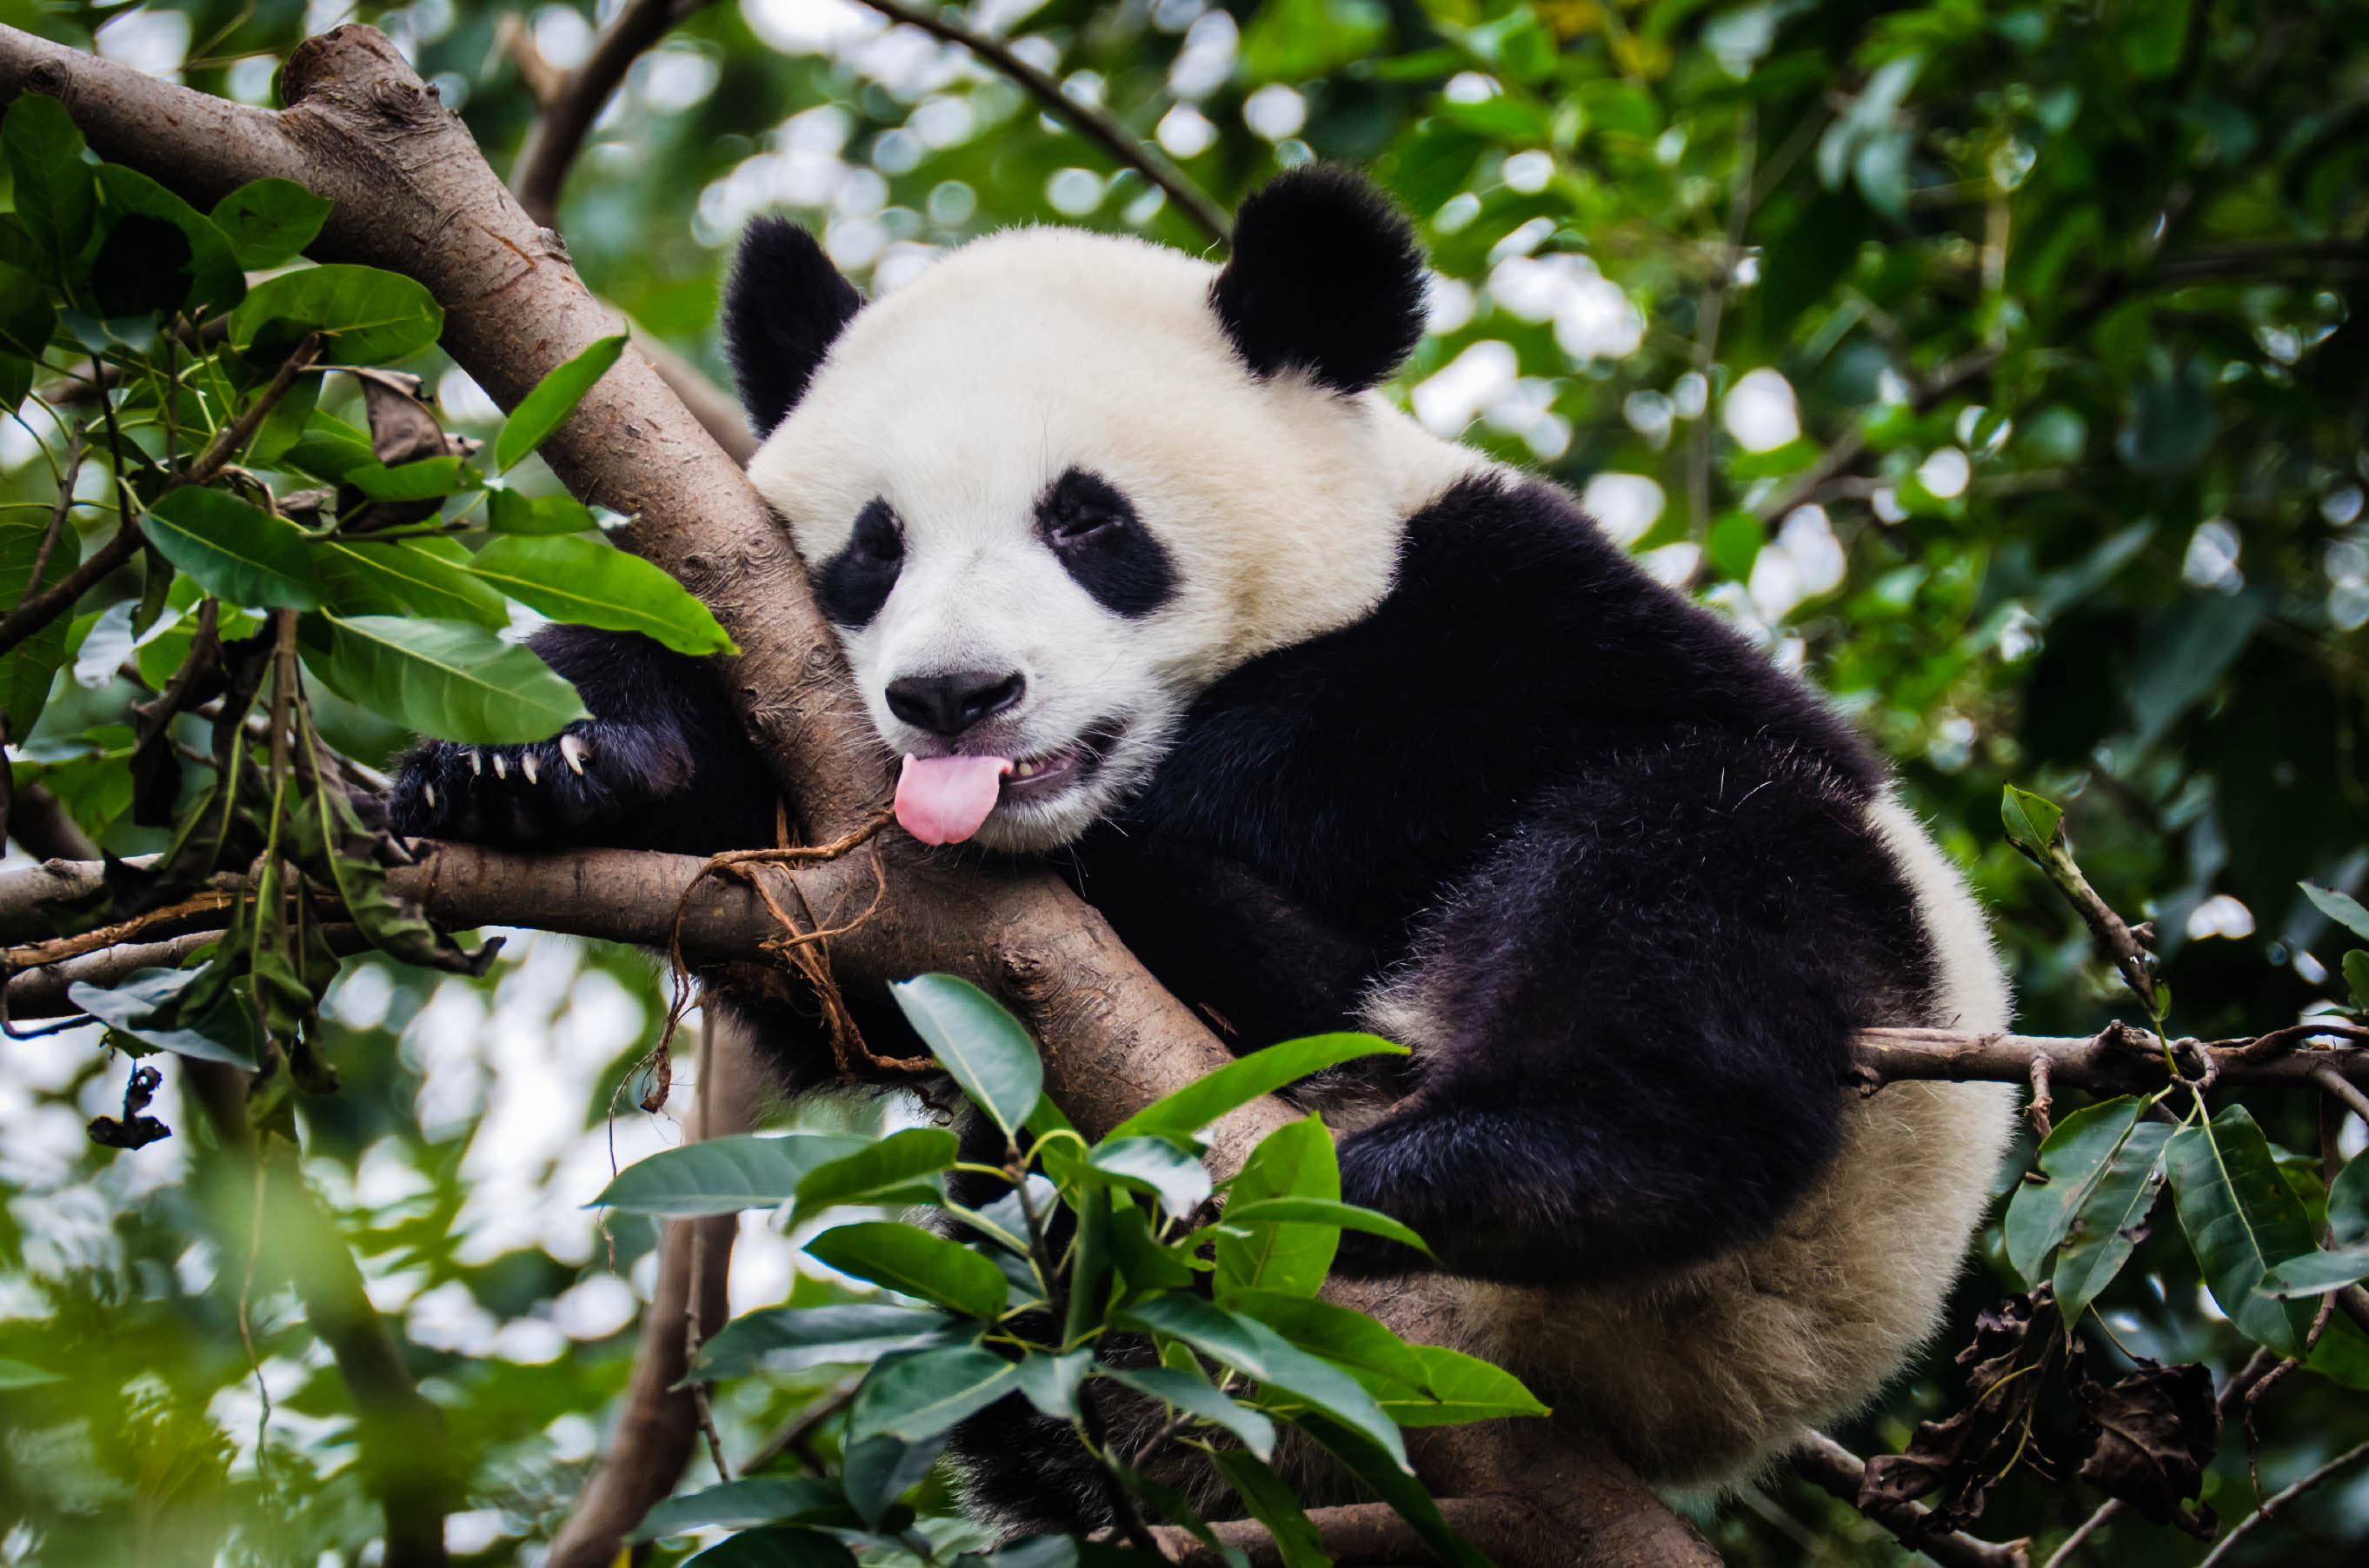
(783, 311)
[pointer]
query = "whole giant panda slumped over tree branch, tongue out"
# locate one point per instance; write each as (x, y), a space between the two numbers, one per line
(1347, 726)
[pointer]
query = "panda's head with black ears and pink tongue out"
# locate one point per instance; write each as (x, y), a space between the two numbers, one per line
(1062, 482)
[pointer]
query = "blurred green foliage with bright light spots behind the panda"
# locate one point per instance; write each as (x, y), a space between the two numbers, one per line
(2001, 366)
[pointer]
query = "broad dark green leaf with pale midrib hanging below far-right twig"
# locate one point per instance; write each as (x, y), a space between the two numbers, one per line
(2242, 1221)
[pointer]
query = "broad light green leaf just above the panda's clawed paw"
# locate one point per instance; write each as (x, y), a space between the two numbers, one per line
(447, 679)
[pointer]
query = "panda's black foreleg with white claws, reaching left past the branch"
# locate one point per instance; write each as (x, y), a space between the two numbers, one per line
(660, 766)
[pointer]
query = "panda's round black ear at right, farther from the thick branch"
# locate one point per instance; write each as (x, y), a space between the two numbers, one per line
(1325, 278)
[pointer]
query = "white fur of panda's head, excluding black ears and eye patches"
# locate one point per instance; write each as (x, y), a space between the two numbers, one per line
(968, 392)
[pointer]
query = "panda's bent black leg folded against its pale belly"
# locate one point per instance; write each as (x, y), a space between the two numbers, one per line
(1638, 1020)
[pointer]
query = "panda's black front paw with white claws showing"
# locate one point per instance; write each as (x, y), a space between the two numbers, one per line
(579, 788)
